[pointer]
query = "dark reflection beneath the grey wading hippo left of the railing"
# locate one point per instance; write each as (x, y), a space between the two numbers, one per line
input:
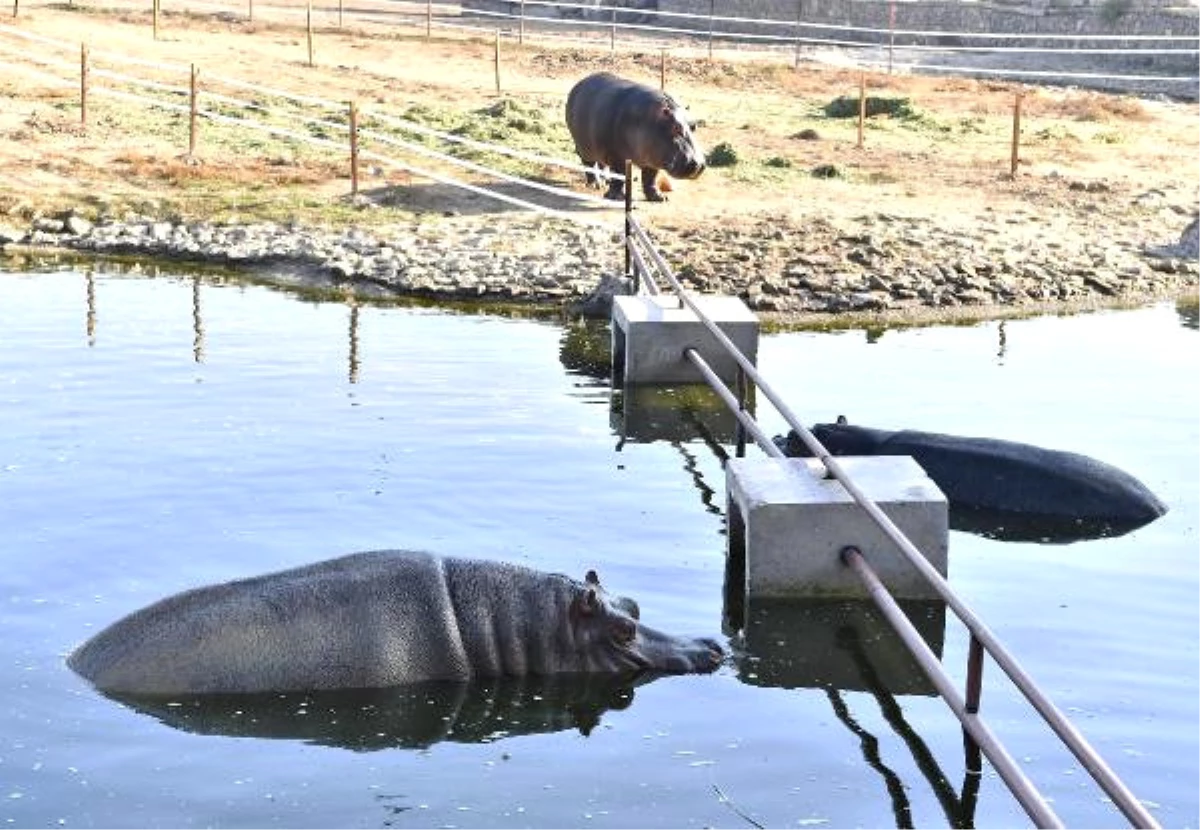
(415, 717)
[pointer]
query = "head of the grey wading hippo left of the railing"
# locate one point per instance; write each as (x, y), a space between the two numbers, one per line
(609, 637)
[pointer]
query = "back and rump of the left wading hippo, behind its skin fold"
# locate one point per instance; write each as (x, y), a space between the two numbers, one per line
(364, 621)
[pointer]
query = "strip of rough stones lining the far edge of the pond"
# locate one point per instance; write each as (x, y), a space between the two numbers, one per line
(785, 268)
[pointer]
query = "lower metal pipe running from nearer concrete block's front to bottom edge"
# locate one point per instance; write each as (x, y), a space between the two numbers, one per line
(1029, 797)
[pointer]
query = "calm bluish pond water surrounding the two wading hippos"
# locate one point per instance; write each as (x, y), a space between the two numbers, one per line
(163, 434)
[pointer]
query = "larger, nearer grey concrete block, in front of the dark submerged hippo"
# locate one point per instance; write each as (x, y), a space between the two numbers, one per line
(790, 526)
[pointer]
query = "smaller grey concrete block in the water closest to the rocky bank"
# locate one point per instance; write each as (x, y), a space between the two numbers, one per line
(650, 335)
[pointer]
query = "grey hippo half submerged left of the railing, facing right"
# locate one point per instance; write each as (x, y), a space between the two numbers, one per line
(379, 620)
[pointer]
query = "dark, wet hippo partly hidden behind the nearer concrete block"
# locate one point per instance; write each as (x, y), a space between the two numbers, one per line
(1006, 490)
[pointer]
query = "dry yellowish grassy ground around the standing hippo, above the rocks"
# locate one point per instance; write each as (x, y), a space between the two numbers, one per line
(947, 159)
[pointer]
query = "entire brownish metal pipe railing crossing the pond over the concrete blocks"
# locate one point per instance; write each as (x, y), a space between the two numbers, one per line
(646, 266)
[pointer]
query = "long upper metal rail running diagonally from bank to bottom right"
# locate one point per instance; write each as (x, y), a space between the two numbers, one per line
(1064, 729)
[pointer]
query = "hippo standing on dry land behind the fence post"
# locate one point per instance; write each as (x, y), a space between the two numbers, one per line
(615, 121)
